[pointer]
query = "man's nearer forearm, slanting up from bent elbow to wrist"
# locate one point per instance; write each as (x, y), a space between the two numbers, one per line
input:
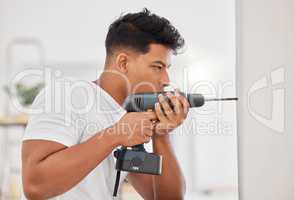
(62, 170)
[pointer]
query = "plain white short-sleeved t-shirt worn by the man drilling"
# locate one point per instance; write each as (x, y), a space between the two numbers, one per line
(70, 113)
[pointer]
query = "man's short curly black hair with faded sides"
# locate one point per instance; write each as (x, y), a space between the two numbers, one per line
(136, 31)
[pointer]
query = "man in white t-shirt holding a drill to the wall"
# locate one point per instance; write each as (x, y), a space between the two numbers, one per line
(65, 161)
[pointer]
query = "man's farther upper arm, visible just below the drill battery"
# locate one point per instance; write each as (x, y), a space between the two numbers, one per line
(143, 184)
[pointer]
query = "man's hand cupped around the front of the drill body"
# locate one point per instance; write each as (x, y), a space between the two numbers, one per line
(170, 118)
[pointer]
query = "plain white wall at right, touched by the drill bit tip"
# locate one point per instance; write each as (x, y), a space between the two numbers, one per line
(265, 76)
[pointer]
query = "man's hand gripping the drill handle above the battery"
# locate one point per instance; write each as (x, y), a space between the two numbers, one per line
(135, 128)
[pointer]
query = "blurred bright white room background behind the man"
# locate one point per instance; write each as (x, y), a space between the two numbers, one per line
(67, 37)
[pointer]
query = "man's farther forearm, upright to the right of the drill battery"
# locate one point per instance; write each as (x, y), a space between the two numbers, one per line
(171, 184)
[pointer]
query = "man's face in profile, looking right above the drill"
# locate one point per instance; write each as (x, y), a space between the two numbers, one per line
(149, 72)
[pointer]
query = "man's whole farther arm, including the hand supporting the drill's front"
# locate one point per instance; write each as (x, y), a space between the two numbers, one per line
(171, 183)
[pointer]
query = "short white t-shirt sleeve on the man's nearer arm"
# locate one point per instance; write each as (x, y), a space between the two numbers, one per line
(52, 121)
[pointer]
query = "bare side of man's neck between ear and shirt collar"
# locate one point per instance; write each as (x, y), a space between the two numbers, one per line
(112, 87)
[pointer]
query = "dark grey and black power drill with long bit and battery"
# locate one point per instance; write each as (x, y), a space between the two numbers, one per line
(137, 159)
